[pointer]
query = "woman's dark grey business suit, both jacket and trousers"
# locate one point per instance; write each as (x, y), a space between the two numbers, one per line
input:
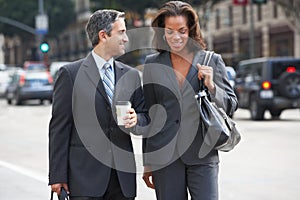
(172, 148)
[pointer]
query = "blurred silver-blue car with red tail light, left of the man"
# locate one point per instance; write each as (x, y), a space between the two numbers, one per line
(27, 85)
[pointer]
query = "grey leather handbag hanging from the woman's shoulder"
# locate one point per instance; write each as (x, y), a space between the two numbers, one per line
(220, 130)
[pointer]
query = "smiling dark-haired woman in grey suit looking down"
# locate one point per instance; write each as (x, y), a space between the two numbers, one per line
(171, 80)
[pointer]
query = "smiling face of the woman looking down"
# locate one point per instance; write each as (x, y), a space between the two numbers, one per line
(176, 33)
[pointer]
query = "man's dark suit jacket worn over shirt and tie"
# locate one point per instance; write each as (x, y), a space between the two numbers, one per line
(85, 141)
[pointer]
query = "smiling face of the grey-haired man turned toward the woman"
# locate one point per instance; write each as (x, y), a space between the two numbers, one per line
(115, 44)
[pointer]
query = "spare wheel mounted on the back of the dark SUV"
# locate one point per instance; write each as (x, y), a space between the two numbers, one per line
(289, 85)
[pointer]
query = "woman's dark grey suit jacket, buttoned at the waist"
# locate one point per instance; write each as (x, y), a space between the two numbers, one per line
(175, 130)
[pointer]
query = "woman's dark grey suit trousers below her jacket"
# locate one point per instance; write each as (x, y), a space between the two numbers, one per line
(175, 180)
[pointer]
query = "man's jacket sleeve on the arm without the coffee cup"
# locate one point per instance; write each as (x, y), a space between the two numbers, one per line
(60, 128)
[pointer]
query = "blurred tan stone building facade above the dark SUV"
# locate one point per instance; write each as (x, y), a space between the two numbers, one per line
(229, 28)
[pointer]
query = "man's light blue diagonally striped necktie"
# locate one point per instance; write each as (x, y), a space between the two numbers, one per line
(108, 81)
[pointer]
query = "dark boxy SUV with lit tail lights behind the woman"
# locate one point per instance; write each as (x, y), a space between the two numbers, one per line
(268, 84)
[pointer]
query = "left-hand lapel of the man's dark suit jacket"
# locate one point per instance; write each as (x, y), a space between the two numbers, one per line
(92, 72)
